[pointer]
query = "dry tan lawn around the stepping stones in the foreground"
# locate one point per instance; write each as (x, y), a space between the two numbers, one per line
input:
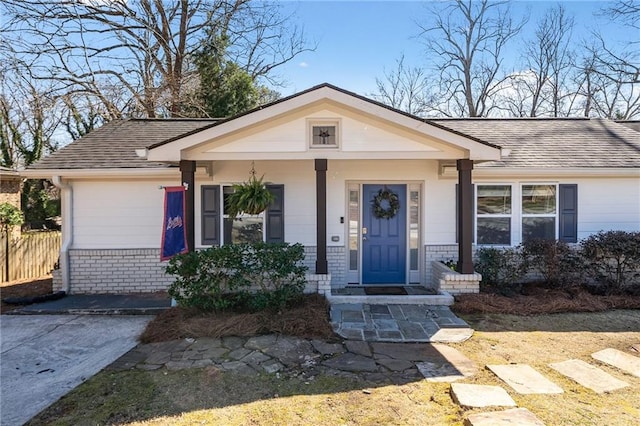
(208, 396)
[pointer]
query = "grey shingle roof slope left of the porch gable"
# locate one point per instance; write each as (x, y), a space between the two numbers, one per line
(113, 145)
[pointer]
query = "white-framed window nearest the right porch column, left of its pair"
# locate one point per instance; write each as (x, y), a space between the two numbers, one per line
(493, 209)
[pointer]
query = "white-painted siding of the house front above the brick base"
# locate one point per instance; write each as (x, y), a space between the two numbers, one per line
(127, 214)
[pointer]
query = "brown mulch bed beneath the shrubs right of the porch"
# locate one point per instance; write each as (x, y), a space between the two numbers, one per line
(540, 301)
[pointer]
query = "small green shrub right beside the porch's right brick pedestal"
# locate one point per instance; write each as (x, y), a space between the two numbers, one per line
(501, 269)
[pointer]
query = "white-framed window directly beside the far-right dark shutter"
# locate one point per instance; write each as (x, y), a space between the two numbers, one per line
(539, 212)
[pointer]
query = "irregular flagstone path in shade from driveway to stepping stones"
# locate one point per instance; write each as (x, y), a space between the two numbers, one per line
(377, 362)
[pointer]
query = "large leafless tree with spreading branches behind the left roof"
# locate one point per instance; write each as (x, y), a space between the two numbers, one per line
(134, 57)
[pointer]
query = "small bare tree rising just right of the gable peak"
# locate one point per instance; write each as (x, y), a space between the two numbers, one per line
(404, 88)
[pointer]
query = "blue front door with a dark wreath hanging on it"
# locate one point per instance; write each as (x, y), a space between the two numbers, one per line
(384, 241)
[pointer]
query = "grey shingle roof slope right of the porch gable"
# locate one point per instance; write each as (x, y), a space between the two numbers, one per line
(555, 143)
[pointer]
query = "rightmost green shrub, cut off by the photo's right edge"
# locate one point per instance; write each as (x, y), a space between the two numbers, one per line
(613, 260)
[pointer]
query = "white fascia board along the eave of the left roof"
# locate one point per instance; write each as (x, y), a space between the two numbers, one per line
(100, 173)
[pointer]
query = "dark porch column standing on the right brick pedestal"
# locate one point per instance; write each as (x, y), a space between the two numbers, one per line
(465, 217)
